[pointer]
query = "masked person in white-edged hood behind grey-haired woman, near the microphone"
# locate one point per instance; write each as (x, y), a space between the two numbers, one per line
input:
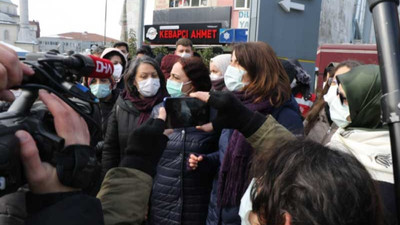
(118, 59)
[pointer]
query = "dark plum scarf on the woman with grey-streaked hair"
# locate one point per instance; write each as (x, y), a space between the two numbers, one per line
(144, 105)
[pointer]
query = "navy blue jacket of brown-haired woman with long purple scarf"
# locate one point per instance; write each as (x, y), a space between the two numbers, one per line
(289, 116)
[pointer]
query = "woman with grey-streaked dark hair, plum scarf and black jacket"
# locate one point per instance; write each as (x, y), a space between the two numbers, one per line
(145, 88)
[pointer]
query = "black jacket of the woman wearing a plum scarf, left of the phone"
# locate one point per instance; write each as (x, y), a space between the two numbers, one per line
(123, 119)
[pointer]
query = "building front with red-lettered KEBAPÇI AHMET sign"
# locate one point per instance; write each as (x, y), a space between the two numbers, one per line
(205, 22)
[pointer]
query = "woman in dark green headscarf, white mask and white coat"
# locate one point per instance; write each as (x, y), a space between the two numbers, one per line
(356, 109)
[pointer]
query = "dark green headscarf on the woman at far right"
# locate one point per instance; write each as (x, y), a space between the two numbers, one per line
(362, 86)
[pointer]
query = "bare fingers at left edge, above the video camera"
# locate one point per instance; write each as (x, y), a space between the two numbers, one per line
(11, 72)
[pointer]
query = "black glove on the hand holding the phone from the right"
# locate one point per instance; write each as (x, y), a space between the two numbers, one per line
(233, 114)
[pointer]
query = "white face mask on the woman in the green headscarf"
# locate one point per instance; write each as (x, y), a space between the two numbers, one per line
(339, 112)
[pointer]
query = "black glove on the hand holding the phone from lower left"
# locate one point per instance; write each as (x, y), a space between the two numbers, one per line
(145, 147)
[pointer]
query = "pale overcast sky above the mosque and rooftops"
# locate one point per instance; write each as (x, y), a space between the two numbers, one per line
(61, 16)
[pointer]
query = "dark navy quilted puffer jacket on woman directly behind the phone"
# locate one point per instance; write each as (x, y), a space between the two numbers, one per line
(181, 195)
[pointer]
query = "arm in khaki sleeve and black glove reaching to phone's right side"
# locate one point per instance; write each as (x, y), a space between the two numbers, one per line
(259, 130)
